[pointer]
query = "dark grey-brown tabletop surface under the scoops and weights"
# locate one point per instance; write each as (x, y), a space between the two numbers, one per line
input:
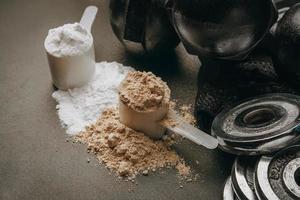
(35, 160)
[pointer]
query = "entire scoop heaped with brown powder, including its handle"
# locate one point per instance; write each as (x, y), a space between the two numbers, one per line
(144, 106)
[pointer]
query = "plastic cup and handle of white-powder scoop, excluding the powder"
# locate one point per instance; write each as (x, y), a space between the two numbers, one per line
(70, 71)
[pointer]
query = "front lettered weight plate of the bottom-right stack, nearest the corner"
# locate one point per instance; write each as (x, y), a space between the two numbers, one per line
(278, 177)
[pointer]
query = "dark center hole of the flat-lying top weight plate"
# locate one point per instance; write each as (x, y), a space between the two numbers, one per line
(259, 117)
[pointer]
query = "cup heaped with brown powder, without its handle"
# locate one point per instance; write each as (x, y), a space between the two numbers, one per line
(143, 102)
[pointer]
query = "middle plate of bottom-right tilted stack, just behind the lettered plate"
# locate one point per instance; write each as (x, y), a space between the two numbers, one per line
(242, 176)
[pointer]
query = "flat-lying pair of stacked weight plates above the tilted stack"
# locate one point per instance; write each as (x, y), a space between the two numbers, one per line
(262, 125)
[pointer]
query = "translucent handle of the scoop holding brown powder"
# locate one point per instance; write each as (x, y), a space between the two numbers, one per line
(190, 132)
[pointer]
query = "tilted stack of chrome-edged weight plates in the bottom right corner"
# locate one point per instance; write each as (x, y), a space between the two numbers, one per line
(273, 177)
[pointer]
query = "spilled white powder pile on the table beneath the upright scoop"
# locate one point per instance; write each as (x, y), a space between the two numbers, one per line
(80, 107)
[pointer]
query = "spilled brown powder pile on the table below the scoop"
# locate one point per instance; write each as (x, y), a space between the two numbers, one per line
(126, 151)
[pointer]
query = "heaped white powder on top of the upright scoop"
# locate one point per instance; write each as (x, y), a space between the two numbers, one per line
(68, 40)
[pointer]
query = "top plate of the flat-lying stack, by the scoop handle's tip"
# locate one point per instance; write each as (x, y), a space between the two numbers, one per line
(258, 119)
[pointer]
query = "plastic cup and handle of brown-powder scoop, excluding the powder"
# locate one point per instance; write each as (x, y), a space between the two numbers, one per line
(150, 123)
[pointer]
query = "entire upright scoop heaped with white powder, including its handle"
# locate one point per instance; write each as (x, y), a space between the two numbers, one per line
(70, 52)
